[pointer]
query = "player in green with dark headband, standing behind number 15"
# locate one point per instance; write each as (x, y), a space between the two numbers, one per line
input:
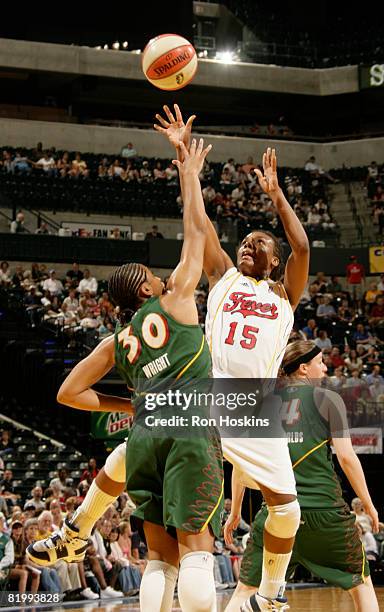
(327, 542)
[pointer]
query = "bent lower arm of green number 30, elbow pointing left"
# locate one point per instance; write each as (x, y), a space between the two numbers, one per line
(76, 390)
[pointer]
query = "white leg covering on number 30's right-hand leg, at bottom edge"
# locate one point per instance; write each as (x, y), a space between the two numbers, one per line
(196, 588)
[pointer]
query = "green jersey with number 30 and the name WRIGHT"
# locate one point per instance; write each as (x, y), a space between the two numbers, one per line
(153, 348)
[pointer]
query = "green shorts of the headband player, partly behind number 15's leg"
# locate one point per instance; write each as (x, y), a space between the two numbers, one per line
(327, 544)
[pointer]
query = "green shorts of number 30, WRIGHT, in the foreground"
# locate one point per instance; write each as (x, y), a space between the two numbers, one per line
(177, 483)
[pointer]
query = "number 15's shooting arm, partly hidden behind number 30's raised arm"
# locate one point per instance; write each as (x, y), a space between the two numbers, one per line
(216, 261)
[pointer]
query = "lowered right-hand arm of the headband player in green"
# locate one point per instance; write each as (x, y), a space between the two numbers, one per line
(332, 407)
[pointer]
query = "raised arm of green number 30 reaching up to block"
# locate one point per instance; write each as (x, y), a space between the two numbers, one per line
(179, 300)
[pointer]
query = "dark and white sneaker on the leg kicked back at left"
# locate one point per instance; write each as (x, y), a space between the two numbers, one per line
(63, 544)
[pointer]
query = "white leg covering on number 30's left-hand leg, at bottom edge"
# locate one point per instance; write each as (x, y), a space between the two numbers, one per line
(158, 586)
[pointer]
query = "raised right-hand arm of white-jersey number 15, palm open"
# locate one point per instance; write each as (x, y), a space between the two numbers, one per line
(297, 267)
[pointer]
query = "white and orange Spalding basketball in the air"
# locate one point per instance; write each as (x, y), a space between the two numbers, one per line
(169, 62)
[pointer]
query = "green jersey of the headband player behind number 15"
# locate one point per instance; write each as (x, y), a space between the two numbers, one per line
(309, 438)
